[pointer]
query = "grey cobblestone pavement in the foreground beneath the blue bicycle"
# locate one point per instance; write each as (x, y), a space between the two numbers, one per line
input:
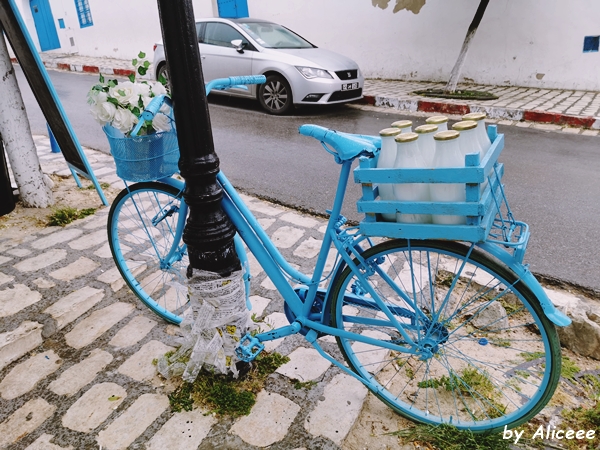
(76, 348)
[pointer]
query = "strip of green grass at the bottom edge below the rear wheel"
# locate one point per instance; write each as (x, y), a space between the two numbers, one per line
(447, 437)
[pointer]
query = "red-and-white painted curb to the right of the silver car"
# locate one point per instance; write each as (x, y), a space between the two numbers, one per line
(493, 112)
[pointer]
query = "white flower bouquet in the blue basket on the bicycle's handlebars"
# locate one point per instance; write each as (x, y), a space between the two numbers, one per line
(151, 154)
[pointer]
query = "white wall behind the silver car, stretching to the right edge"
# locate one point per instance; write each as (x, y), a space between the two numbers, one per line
(526, 42)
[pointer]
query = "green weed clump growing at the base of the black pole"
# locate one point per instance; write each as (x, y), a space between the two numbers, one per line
(223, 394)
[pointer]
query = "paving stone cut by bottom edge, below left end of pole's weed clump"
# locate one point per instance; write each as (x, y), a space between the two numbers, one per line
(183, 431)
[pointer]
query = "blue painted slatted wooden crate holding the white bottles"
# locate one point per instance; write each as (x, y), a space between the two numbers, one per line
(480, 210)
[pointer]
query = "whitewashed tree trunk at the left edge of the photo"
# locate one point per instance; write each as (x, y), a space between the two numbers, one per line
(19, 145)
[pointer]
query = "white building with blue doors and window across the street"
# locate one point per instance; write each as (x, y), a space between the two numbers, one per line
(537, 43)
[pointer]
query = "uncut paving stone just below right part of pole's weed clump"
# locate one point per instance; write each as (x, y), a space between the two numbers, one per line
(269, 420)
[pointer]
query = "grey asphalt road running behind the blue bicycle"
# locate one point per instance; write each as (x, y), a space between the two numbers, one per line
(551, 178)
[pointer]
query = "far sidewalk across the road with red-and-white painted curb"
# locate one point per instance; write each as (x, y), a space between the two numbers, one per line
(570, 111)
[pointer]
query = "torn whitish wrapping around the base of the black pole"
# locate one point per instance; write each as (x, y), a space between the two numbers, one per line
(212, 327)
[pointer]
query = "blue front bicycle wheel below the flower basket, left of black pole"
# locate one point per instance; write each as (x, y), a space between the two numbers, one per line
(146, 245)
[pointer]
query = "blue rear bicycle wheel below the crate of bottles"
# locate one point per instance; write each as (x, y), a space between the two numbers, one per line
(485, 355)
